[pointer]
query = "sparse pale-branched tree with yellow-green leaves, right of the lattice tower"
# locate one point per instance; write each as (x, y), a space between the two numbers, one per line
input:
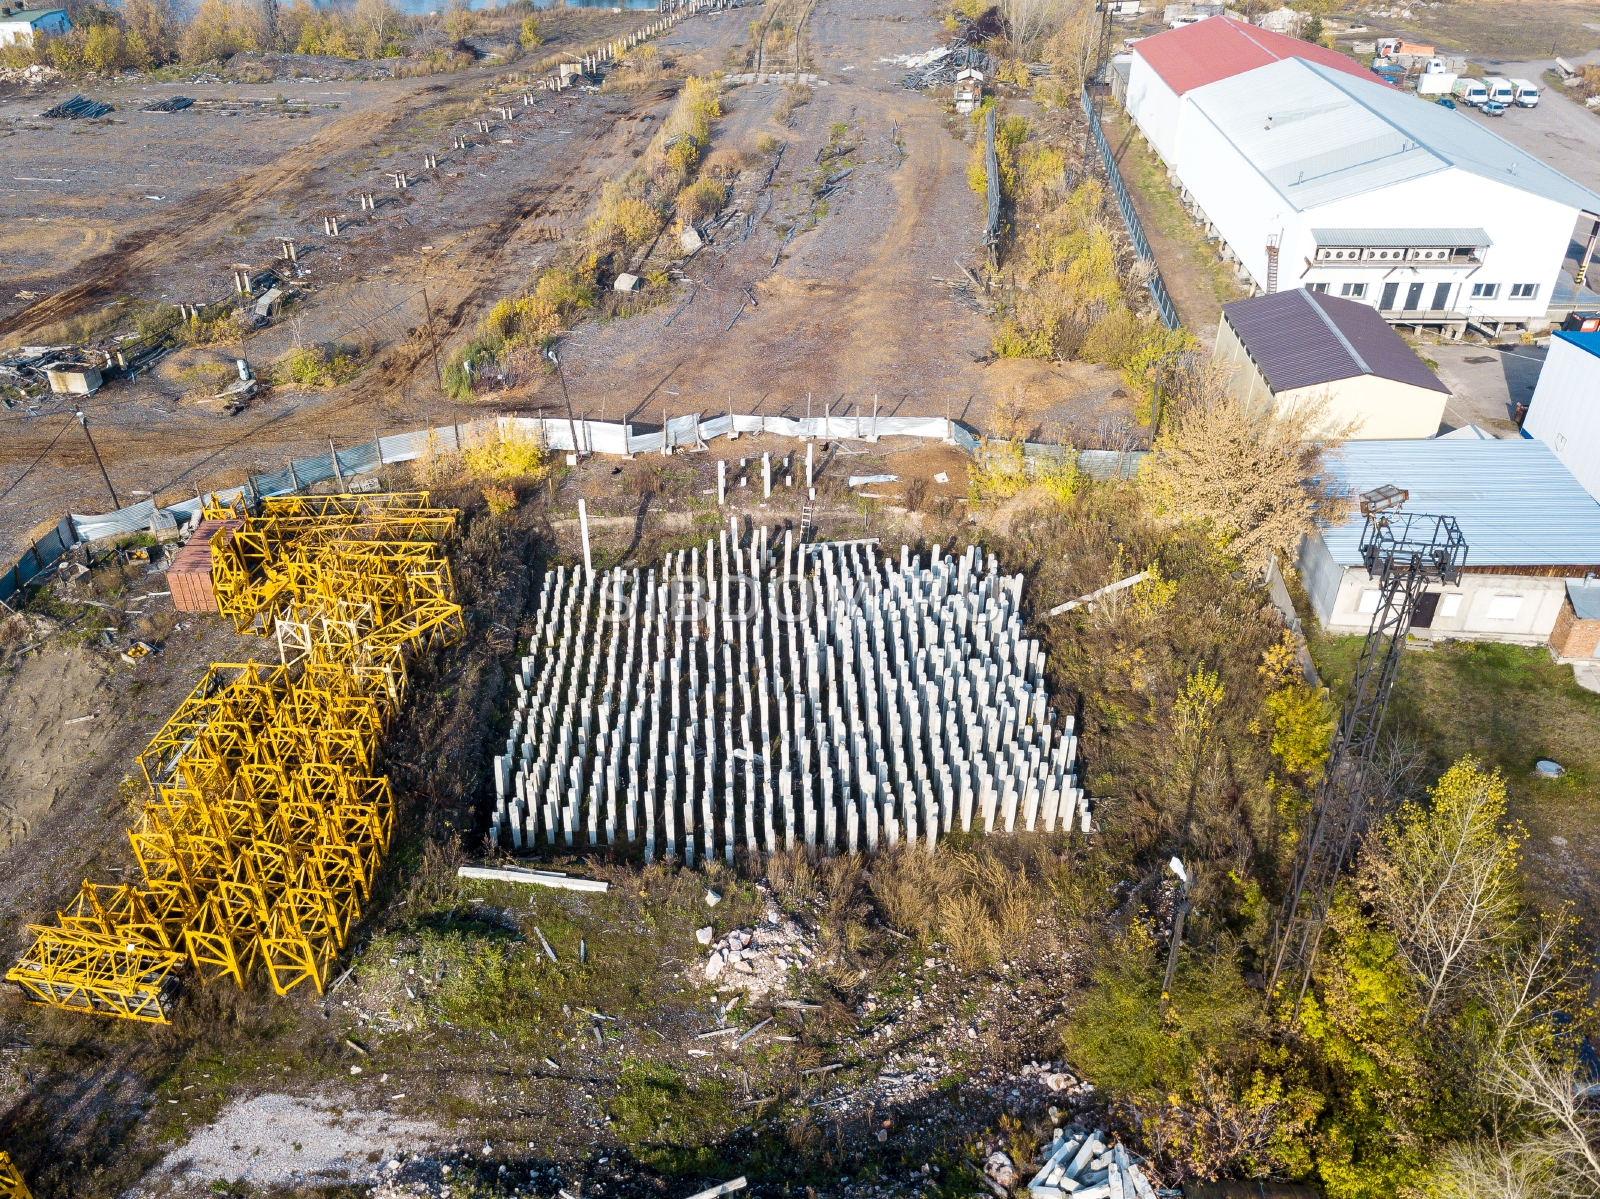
(1444, 878)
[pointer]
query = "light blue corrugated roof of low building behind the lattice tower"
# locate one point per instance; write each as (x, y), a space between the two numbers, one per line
(1516, 503)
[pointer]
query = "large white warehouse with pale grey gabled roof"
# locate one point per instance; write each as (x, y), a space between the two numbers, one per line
(1318, 178)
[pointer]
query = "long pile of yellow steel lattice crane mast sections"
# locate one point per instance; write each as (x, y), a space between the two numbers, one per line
(266, 817)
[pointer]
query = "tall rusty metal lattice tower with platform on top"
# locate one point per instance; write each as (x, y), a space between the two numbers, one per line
(1406, 555)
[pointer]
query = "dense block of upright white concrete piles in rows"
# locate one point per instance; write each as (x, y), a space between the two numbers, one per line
(775, 696)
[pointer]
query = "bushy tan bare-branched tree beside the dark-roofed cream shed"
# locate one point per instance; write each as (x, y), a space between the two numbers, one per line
(1255, 475)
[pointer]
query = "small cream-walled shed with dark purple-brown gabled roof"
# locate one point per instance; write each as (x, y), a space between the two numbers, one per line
(1302, 347)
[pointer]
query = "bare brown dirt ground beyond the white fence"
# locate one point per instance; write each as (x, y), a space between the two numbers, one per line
(868, 297)
